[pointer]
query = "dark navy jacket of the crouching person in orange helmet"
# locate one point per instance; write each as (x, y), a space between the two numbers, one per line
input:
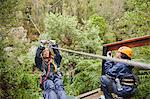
(122, 71)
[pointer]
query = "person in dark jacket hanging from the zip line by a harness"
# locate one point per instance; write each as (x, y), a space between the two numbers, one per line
(49, 63)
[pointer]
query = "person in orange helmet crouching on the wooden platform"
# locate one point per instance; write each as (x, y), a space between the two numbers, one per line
(118, 77)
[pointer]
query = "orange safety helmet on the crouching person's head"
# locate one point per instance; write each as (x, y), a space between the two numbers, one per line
(126, 50)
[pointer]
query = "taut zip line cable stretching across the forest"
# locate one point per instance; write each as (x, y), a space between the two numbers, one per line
(132, 63)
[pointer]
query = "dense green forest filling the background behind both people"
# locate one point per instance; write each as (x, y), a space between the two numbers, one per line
(82, 25)
